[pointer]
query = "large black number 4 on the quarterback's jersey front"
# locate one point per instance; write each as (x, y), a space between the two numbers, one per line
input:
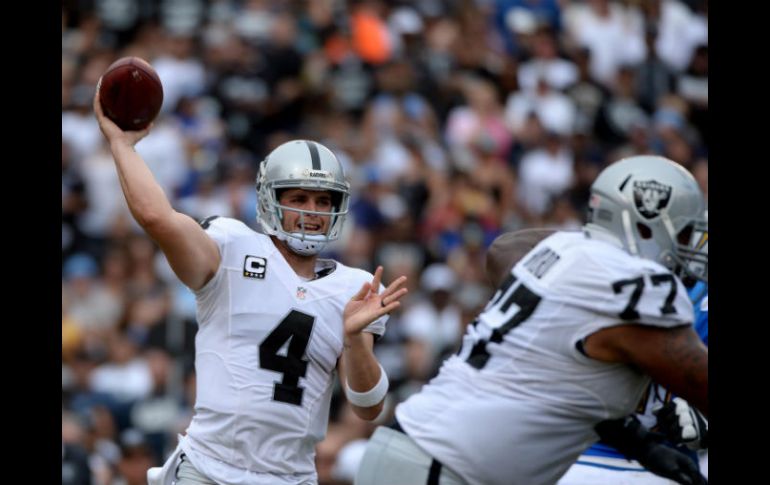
(296, 327)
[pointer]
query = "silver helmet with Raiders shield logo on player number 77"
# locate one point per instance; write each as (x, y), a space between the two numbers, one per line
(653, 208)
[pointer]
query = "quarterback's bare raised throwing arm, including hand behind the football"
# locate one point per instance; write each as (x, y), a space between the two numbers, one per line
(192, 254)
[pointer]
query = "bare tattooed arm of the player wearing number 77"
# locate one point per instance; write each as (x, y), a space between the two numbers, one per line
(673, 357)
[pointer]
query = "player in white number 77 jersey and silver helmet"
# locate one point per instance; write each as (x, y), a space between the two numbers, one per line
(570, 339)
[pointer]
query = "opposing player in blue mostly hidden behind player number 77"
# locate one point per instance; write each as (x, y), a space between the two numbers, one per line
(649, 456)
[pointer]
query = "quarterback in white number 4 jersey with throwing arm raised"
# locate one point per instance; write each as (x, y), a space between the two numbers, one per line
(275, 320)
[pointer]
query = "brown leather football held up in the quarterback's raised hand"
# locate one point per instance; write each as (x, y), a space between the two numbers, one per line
(130, 93)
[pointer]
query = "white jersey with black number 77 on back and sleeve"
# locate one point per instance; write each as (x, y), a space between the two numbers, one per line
(518, 404)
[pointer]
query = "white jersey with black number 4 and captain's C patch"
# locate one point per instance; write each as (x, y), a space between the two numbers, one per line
(266, 351)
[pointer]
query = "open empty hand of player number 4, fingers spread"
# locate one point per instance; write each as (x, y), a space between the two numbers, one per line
(369, 304)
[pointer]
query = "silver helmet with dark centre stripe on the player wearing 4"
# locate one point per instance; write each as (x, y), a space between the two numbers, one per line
(305, 165)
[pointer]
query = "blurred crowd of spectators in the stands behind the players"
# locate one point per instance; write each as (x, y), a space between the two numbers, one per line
(455, 120)
